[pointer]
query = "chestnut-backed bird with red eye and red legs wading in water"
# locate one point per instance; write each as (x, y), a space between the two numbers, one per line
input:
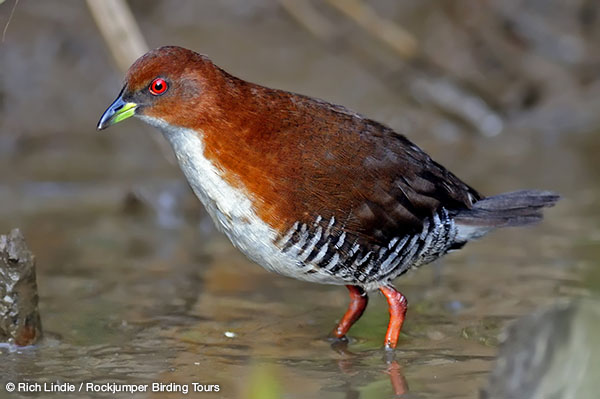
(309, 189)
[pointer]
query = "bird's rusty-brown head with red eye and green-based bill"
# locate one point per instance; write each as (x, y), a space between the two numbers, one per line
(169, 85)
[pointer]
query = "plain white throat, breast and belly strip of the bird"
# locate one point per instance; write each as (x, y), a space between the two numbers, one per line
(230, 208)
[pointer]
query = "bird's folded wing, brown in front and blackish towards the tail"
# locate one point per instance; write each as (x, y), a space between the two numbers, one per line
(373, 180)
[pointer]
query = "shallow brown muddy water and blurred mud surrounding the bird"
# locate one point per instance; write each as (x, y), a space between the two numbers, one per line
(136, 287)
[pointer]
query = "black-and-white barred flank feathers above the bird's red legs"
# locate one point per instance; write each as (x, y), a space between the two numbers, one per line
(329, 249)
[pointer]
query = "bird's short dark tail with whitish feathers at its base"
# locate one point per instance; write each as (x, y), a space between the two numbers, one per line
(518, 208)
